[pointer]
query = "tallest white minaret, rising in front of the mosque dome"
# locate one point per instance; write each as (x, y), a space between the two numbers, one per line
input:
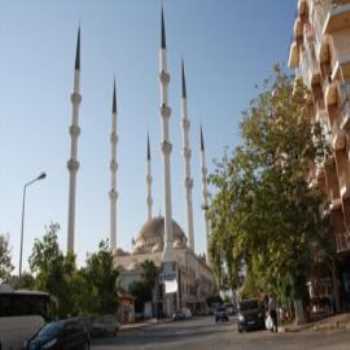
(166, 145)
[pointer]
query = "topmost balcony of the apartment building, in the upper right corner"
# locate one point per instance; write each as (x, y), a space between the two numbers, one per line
(338, 17)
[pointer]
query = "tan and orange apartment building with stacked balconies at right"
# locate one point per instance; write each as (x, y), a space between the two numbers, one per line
(320, 55)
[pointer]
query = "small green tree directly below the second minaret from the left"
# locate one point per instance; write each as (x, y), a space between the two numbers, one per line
(101, 280)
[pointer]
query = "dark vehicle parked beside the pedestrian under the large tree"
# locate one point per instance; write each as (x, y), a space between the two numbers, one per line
(251, 315)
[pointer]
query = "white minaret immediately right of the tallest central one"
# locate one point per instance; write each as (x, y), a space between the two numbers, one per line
(187, 153)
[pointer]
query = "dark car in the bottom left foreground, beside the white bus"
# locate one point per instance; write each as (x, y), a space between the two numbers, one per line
(70, 334)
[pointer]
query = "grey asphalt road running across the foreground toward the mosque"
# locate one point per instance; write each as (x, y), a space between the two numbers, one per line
(204, 334)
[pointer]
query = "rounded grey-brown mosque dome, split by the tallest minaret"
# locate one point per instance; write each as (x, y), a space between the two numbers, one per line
(151, 237)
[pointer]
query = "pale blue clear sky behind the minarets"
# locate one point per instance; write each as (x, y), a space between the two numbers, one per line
(228, 47)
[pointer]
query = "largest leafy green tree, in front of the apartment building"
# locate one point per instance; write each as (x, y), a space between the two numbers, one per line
(264, 213)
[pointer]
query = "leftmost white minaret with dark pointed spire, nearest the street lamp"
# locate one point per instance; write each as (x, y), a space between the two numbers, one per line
(73, 163)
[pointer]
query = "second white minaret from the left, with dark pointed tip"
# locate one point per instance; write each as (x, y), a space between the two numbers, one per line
(113, 194)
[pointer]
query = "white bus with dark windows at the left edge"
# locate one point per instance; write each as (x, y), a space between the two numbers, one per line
(22, 313)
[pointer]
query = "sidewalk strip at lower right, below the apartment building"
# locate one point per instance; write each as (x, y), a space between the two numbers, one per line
(341, 321)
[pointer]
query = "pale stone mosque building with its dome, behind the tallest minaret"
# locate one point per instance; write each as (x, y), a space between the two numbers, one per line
(194, 279)
